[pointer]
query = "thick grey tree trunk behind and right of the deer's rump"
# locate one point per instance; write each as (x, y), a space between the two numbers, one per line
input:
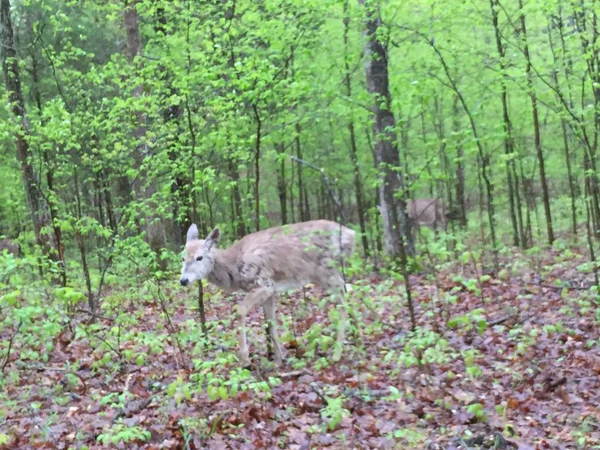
(387, 160)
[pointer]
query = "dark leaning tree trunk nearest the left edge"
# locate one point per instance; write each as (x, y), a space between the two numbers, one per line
(12, 81)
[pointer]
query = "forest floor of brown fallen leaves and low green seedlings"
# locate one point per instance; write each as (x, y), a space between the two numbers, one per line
(509, 359)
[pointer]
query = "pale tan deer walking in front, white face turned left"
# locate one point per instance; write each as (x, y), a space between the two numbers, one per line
(266, 263)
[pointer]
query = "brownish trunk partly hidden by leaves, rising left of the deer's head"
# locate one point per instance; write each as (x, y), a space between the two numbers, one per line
(155, 231)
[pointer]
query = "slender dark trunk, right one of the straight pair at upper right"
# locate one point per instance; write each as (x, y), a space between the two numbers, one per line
(536, 130)
